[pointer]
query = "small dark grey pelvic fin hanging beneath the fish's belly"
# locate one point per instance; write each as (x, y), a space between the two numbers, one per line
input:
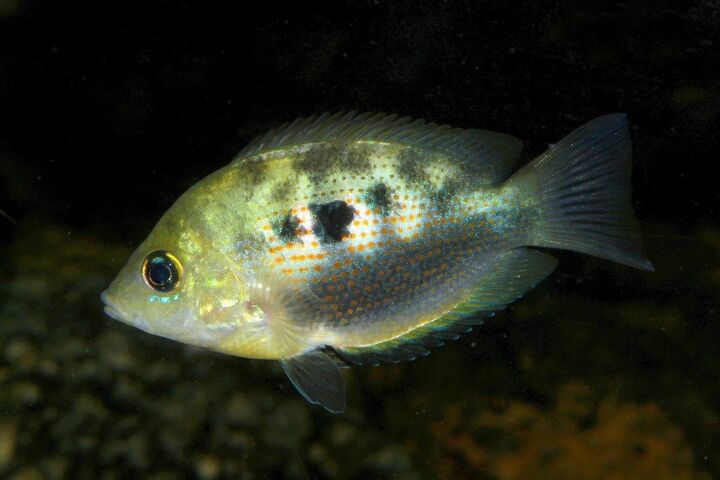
(318, 379)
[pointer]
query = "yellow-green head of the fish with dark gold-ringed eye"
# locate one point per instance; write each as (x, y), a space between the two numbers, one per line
(176, 284)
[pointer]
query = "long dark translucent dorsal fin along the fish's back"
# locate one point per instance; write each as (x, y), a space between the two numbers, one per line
(491, 155)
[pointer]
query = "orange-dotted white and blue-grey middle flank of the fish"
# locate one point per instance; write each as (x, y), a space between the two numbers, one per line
(385, 262)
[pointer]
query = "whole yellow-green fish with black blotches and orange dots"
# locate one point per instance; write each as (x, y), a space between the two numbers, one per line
(349, 239)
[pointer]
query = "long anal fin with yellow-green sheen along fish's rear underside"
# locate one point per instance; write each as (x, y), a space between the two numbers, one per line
(511, 276)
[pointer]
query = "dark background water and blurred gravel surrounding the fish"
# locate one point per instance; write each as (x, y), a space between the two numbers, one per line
(106, 117)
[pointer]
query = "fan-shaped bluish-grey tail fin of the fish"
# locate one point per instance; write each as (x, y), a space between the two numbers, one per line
(582, 190)
